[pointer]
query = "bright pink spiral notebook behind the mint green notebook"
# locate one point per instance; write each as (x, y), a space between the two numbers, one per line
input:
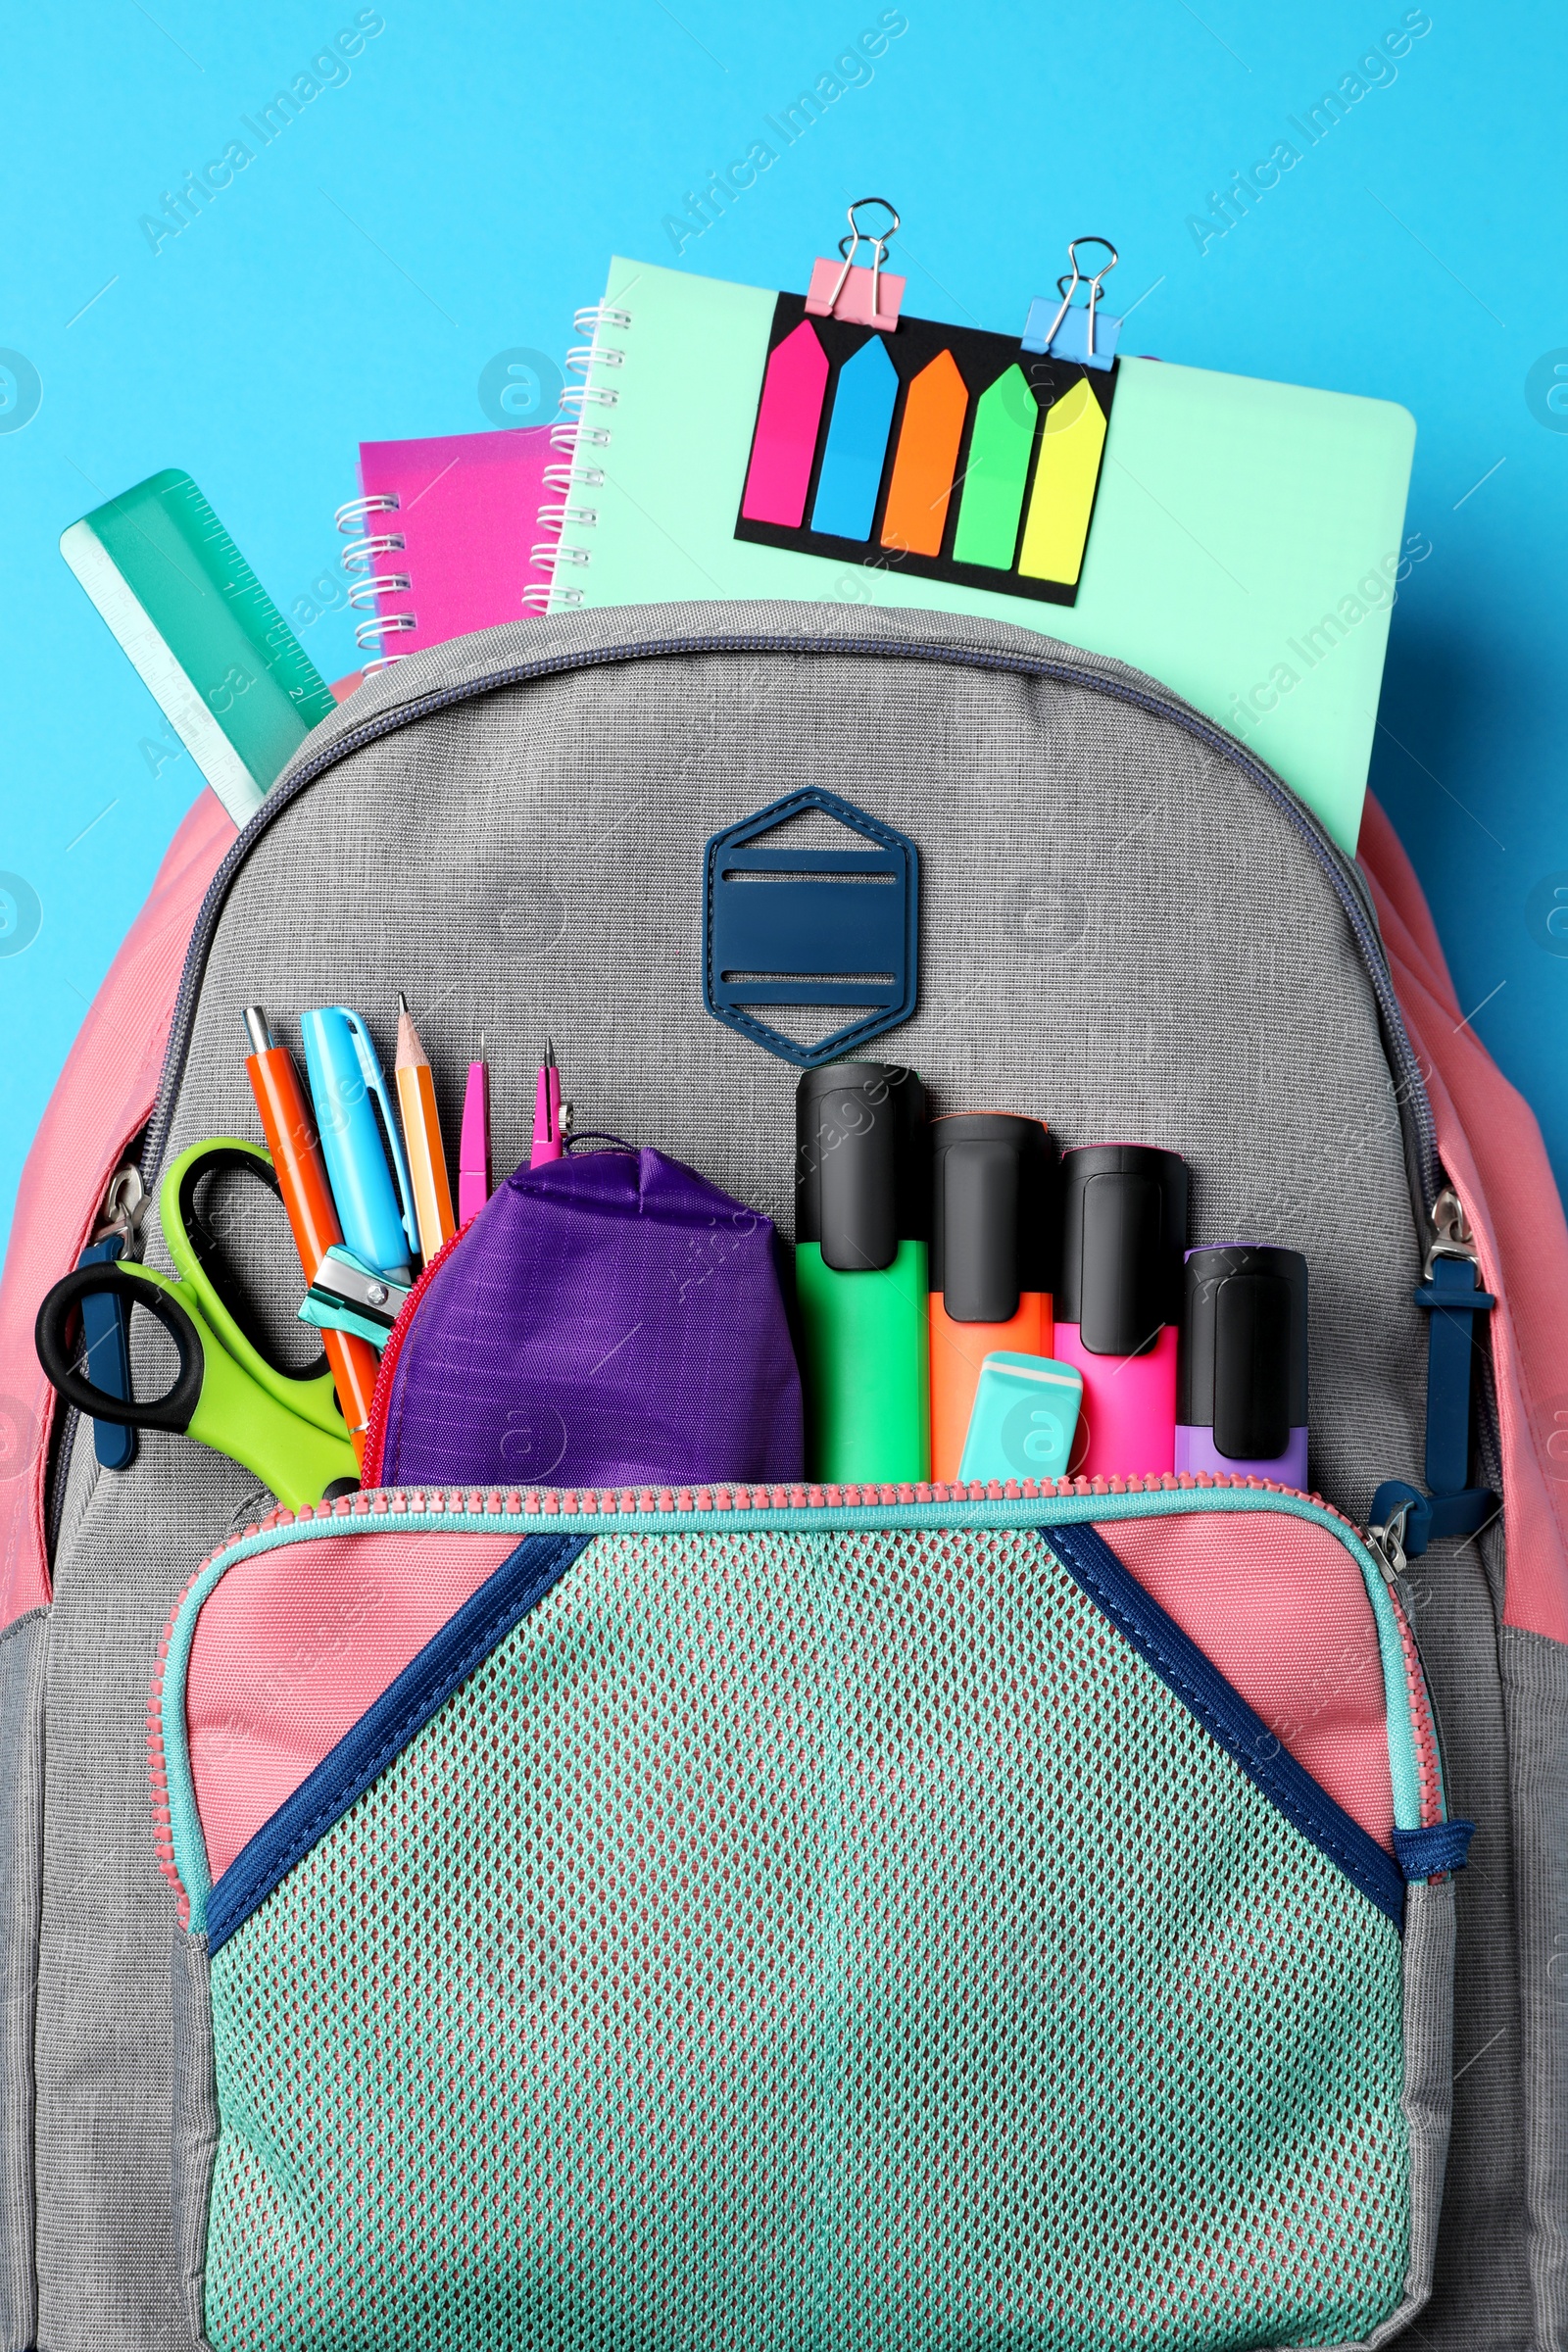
(453, 533)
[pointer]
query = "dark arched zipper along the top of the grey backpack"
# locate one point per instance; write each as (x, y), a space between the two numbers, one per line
(1423, 1165)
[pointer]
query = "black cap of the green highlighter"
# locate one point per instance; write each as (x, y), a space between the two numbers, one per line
(862, 1163)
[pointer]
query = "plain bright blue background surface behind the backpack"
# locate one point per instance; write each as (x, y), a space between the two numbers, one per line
(462, 192)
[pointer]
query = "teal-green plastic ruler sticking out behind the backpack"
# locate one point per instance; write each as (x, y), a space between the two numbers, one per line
(203, 634)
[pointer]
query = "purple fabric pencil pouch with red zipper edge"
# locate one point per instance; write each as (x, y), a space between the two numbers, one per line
(605, 1321)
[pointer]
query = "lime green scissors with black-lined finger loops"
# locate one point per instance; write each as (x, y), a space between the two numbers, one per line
(227, 1394)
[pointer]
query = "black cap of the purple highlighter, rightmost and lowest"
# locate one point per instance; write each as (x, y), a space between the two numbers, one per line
(1245, 1349)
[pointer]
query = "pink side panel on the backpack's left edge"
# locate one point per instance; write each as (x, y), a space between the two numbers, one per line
(100, 1104)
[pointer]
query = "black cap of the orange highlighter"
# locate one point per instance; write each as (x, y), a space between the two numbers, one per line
(993, 1212)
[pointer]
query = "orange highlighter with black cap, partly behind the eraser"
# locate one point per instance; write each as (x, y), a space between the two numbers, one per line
(993, 1252)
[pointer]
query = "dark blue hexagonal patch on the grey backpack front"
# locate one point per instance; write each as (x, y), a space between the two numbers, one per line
(812, 928)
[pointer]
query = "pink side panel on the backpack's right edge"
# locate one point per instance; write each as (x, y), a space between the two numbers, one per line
(1499, 1165)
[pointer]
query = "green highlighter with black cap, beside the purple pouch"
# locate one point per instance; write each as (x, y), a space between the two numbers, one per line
(862, 1274)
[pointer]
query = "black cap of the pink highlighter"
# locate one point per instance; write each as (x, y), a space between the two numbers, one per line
(1125, 1231)
